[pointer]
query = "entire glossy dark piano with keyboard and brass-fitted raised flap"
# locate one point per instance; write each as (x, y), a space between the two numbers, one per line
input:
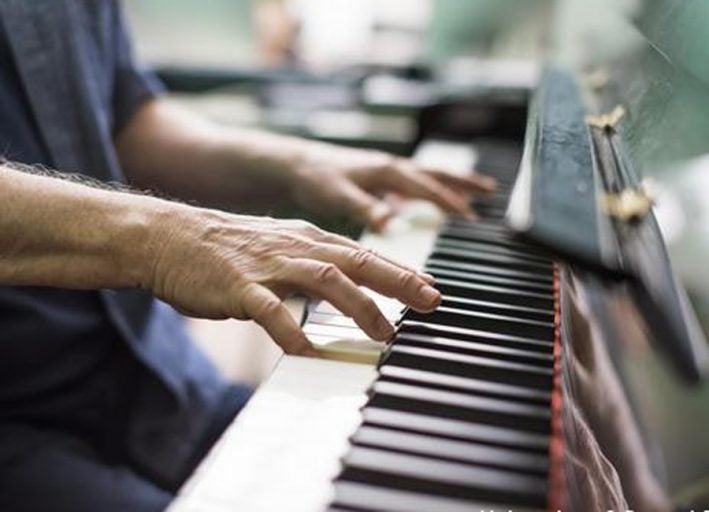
(565, 367)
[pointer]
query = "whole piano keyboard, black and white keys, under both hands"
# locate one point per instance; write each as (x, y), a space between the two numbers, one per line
(457, 415)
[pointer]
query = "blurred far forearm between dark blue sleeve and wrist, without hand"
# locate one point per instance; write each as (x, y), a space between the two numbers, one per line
(167, 148)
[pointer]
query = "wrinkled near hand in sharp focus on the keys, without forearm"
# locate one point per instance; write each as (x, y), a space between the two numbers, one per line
(216, 265)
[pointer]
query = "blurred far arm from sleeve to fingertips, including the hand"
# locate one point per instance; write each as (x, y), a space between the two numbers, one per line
(167, 148)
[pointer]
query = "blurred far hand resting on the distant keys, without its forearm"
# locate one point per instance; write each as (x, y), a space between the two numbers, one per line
(333, 179)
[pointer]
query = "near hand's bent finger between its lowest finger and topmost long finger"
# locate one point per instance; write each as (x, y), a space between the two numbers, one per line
(326, 281)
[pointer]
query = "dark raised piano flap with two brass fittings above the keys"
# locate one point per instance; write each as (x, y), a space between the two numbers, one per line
(578, 195)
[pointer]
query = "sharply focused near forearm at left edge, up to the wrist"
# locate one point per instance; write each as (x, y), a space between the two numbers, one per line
(59, 233)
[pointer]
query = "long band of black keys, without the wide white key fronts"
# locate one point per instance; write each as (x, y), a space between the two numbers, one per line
(459, 415)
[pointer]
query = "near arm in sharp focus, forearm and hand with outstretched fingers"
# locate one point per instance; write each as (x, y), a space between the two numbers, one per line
(204, 262)
